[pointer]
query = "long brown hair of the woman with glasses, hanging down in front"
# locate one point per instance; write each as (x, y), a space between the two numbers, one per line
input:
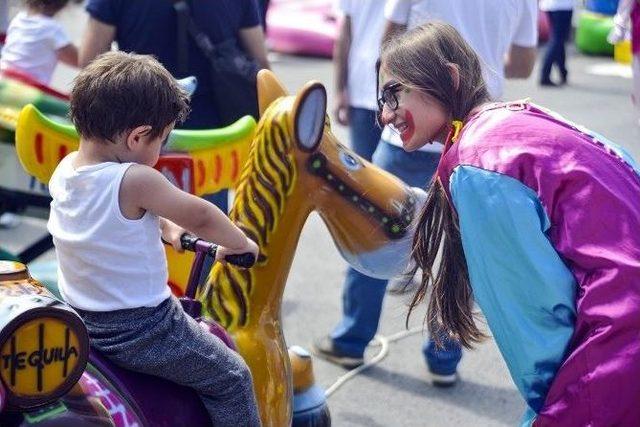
(422, 59)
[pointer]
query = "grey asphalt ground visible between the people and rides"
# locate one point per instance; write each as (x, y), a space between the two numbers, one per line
(396, 391)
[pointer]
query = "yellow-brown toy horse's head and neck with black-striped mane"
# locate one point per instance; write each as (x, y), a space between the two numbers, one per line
(296, 166)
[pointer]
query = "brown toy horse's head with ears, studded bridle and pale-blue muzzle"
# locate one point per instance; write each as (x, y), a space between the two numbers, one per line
(368, 211)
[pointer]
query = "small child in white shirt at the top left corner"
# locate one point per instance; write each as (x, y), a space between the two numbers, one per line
(36, 42)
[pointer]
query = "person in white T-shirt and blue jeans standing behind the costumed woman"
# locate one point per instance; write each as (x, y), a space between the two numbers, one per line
(504, 34)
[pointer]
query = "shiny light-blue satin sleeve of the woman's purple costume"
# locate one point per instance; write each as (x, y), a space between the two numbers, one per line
(523, 288)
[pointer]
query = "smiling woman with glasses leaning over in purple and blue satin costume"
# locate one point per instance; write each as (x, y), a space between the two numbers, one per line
(537, 220)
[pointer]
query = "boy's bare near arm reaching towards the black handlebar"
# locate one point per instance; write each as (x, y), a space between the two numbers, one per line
(147, 189)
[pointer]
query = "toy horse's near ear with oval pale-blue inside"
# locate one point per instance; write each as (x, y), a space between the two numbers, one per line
(309, 112)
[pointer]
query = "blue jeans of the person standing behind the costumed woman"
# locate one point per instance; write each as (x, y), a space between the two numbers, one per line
(362, 295)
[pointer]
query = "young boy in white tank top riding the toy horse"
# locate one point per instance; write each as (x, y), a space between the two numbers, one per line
(109, 210)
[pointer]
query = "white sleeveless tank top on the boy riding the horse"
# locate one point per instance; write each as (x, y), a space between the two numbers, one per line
(105, 261)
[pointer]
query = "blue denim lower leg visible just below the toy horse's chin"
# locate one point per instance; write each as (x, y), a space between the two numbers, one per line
(361, 306)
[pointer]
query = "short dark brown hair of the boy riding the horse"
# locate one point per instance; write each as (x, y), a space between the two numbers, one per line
(119, 91)
